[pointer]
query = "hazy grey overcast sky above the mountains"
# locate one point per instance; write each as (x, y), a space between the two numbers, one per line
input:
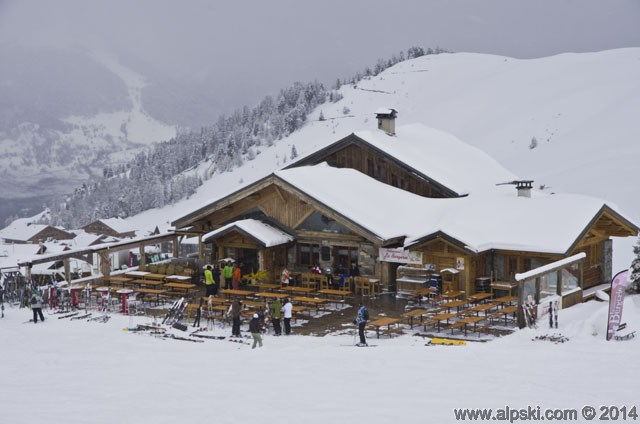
(265, 45)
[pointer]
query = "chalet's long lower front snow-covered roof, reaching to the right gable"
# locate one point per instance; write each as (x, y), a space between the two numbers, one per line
(493, 219)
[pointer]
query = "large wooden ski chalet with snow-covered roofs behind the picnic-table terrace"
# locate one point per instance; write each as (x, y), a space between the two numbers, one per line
(343, 205)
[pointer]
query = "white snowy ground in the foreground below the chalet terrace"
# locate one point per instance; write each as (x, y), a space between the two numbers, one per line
(70, 372)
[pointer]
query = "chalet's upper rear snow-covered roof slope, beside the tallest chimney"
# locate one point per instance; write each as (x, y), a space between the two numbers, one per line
(440, 156)
